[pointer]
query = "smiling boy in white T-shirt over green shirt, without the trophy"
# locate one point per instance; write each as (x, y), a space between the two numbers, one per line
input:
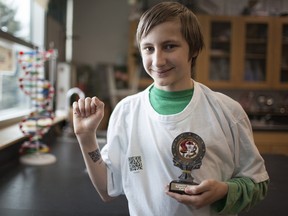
(137, 160)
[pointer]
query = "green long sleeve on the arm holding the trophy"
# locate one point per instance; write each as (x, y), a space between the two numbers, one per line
(242, 195)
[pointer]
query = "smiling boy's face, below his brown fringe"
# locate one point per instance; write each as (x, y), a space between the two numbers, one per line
(165, 55)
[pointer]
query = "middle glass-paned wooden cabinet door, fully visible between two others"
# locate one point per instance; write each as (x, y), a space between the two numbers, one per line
(256, 53)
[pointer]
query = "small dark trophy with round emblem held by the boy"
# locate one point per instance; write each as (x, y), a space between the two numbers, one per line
(188, 150)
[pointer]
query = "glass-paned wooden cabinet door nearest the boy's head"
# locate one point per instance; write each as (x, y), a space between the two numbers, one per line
(215, 64)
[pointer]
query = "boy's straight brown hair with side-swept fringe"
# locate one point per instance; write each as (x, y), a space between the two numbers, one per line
(167, 11)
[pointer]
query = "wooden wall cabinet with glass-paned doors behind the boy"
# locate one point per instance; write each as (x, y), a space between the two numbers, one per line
(244, 52)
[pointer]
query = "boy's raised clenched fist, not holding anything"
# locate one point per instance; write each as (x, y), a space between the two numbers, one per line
(87, 115)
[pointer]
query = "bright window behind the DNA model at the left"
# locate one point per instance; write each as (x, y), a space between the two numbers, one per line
(18, 32)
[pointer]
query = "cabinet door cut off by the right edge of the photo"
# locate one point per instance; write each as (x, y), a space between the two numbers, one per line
(281, 53)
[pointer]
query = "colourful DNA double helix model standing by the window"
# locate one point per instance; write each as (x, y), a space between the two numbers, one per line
(41, 92)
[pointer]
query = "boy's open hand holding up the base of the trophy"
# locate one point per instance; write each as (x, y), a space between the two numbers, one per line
(201, 195)
